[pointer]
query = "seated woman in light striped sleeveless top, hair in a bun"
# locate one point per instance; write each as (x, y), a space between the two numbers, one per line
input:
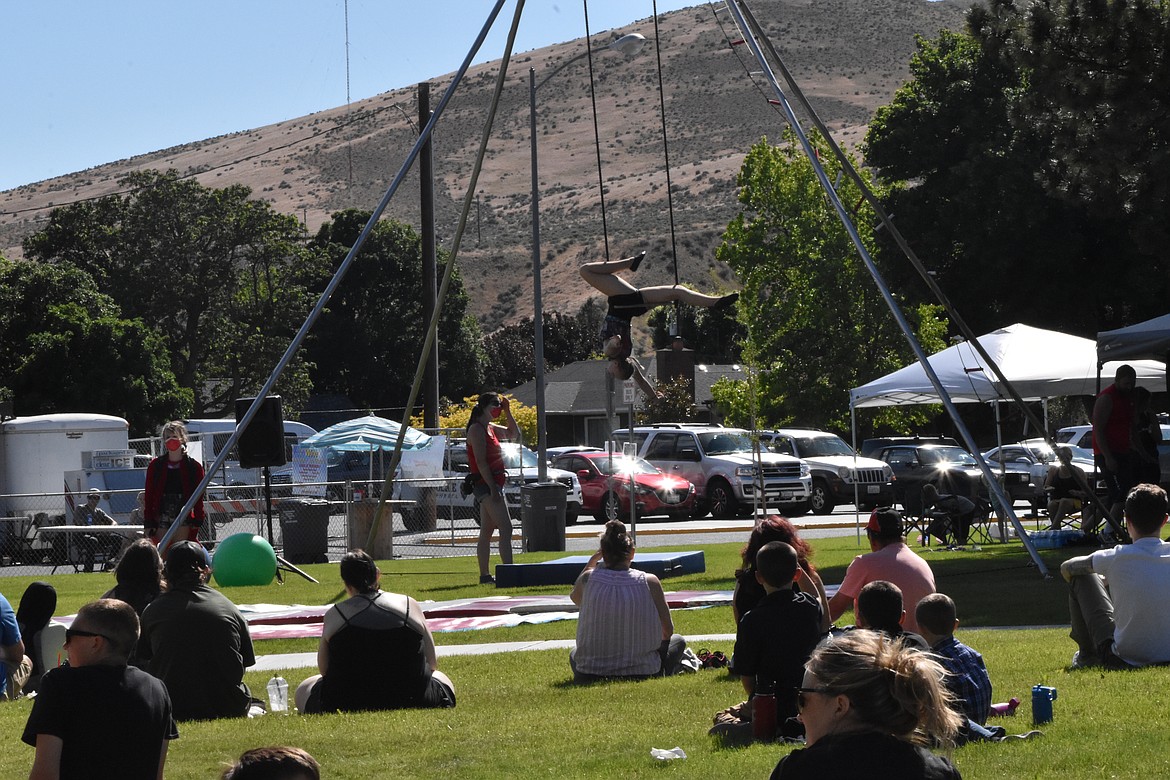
(624, 630)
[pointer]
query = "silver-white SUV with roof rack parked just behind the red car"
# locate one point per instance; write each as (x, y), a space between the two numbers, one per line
(722, 467)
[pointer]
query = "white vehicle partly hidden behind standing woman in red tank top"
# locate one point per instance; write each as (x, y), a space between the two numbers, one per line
(521, 467)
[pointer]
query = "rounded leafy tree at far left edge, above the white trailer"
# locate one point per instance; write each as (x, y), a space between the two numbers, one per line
(65, 348)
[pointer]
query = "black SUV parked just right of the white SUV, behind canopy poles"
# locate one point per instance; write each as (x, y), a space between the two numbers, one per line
(952, 470)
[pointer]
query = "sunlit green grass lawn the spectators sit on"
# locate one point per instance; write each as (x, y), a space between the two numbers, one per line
(519, 716)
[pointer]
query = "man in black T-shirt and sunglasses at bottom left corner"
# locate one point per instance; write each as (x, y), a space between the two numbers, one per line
(99, 714)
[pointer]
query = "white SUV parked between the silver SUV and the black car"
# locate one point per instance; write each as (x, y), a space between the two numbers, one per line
(836, 470)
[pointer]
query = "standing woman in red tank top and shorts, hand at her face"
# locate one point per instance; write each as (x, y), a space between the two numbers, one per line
(488, 475)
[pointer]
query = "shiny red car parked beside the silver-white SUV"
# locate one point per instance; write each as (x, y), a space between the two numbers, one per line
(605, 486)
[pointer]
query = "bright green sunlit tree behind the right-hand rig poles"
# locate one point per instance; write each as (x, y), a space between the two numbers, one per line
(816, 321)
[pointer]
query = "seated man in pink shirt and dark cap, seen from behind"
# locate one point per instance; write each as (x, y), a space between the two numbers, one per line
(891, 561)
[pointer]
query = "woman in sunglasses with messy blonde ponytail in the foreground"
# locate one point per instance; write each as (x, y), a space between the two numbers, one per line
(870, 706)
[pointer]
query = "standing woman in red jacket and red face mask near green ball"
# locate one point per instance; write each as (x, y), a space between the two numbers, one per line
(170, 481)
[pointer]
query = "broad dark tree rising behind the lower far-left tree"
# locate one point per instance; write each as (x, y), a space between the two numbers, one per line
(222, 278)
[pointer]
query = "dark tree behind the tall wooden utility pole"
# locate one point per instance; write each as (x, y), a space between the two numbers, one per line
(368, 344)
